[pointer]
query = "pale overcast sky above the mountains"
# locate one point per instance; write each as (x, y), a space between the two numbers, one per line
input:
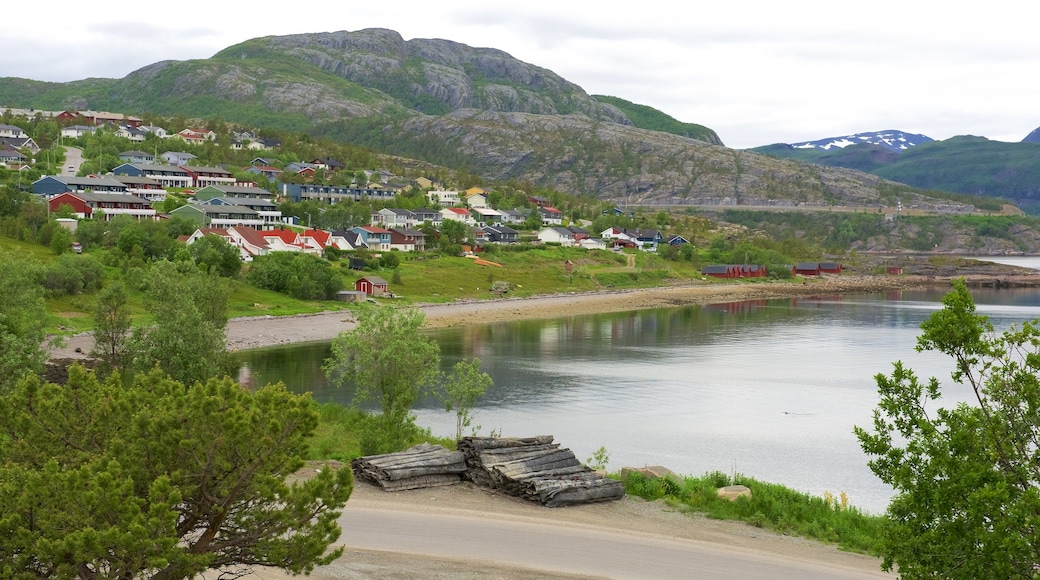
(757, 72)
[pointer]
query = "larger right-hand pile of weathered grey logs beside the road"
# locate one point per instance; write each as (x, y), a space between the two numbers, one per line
(535, 469)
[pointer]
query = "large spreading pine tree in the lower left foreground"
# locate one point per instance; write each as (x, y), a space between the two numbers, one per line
(161, 480)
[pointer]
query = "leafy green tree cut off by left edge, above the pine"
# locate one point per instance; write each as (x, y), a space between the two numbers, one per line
(23, 315)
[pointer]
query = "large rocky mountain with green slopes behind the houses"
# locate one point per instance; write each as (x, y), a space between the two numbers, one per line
(477, 110)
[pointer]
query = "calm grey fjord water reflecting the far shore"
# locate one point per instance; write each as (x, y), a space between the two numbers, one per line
(770, 389)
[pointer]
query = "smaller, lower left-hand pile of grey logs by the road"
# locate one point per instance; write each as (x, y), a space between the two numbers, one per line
(423, 466)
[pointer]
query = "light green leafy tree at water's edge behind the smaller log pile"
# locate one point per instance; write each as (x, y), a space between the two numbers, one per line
(387, 359)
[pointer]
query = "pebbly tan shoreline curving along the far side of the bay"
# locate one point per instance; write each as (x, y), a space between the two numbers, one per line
(263, 332)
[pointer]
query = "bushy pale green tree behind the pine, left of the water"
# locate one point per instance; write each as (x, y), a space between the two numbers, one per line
(188, 338)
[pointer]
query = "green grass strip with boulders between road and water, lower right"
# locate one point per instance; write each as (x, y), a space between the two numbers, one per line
(771, 507)
